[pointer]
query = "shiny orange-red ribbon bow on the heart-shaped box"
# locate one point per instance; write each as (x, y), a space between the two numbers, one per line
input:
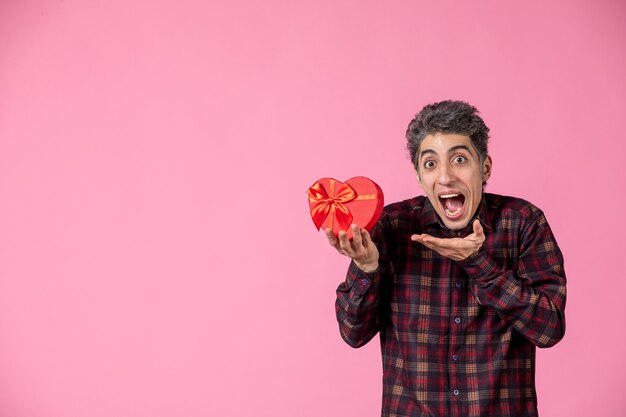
(331, 203)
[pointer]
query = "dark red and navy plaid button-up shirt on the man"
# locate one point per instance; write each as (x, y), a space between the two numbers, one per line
(458, 338)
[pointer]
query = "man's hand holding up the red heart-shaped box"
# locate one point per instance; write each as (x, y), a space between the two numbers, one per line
(361, 249)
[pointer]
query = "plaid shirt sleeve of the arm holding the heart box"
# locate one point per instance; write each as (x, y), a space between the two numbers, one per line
(359, 297)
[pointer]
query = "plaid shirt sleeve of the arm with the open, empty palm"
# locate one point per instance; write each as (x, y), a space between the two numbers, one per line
(531, 298)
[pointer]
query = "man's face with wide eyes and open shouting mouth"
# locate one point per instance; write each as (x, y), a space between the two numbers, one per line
(451, 175)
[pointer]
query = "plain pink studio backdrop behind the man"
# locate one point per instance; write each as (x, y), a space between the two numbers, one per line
(157, 257)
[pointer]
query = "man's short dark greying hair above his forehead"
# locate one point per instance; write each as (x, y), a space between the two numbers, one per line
(447, 116)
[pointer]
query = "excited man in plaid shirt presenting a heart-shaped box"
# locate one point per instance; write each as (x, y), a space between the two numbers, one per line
(462, 285)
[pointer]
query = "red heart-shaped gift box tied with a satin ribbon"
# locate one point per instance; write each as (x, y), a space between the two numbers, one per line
(337, 205)
